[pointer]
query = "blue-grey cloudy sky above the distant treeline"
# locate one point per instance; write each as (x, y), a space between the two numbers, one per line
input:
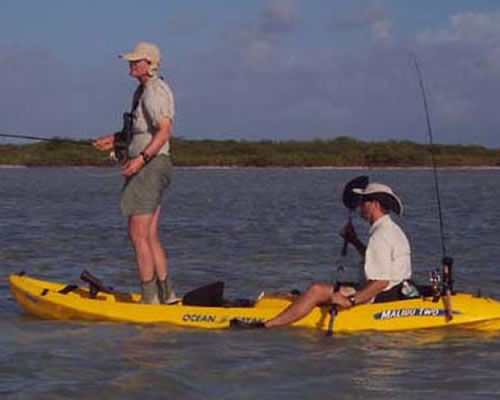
(258, 69)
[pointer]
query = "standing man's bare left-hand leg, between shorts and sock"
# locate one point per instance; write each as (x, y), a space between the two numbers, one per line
(139, 234)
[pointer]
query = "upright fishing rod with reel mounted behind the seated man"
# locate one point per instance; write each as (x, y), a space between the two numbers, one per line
(447, 262)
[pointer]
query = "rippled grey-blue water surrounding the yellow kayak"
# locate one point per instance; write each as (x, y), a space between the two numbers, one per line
(274, 229)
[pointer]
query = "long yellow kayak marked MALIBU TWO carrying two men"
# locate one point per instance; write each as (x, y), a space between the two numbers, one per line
(52, 300)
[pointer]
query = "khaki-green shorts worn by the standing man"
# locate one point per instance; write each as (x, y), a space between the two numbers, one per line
(143, 192)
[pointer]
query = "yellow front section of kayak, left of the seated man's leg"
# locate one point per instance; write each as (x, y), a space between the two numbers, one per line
(43, 299)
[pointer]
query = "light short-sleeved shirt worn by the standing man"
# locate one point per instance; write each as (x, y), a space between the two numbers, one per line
(155, 104)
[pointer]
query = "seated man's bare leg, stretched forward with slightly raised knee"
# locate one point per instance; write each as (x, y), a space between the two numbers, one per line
(316, 294)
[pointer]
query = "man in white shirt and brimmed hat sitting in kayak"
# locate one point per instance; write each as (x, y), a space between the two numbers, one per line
(387, 260)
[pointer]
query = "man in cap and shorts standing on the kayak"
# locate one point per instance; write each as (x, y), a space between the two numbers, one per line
(146, 168)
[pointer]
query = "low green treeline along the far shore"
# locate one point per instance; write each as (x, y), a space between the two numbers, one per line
(339, 152)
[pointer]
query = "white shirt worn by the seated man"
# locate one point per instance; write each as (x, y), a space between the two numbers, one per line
(388, 255)
